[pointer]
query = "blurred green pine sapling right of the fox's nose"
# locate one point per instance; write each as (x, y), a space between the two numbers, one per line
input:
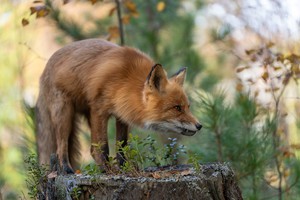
(237, 132)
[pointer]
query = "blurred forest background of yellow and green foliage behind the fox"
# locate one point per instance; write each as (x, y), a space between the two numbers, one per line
(243, 75)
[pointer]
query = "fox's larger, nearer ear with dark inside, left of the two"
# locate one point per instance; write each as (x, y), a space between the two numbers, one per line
(157, 78)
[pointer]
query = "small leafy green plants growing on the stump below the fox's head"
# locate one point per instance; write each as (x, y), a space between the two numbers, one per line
(138, 154)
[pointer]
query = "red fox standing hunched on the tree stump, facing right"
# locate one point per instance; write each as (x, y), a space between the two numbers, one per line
(98, 79)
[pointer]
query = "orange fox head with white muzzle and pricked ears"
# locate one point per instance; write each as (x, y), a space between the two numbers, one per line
(167, 106)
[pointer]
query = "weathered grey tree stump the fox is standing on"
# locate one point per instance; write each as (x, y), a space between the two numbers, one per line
(213, 181)
